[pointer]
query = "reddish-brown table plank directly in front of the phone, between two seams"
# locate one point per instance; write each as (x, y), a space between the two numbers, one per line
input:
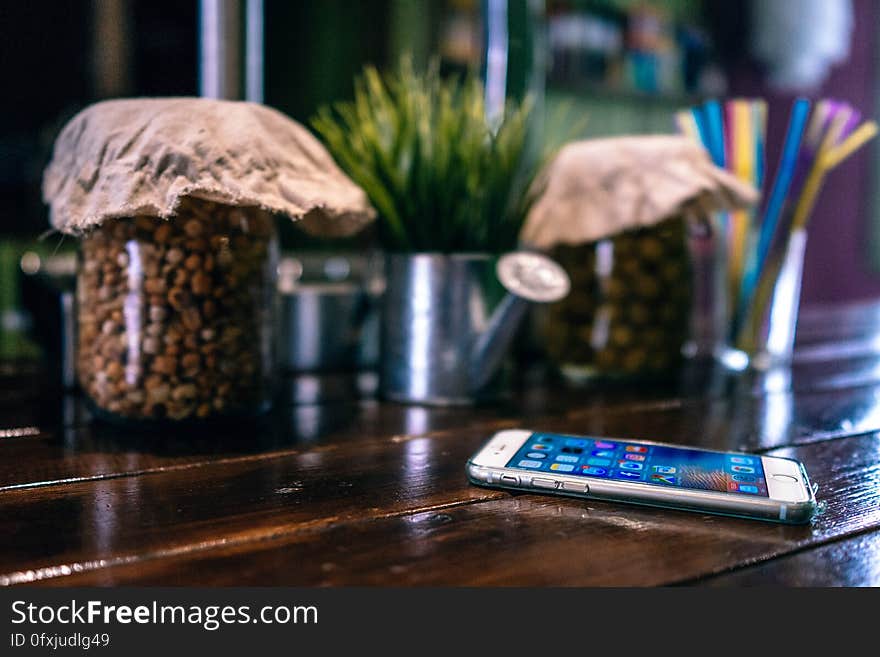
(526, 539)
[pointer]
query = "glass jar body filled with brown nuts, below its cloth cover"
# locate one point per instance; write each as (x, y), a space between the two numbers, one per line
(175, 317)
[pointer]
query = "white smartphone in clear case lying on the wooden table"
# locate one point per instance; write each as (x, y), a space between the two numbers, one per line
(639, 472)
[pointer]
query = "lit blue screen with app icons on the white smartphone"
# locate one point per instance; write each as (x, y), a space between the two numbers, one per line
(650, 464)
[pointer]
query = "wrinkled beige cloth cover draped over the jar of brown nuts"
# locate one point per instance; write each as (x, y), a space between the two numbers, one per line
(122, 158)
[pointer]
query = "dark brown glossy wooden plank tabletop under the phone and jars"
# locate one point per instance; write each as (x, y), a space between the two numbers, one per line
(361, 492)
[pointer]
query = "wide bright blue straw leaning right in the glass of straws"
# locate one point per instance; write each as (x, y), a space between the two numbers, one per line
(796, 123)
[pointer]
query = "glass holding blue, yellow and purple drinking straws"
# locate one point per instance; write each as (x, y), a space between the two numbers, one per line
(763, 248)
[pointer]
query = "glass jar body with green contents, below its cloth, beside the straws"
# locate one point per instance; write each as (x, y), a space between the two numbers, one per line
(628, 311)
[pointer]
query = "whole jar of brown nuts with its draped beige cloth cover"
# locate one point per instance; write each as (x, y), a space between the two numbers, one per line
(173, 202)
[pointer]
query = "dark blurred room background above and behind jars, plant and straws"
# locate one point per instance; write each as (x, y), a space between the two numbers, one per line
(626, 65)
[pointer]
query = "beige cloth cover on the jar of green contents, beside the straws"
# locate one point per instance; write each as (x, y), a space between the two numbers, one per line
(598, 188)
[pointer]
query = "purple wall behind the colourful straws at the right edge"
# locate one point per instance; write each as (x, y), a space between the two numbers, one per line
(837, 264)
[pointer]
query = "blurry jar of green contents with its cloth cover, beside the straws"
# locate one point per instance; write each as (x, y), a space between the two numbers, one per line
(613, 214)
